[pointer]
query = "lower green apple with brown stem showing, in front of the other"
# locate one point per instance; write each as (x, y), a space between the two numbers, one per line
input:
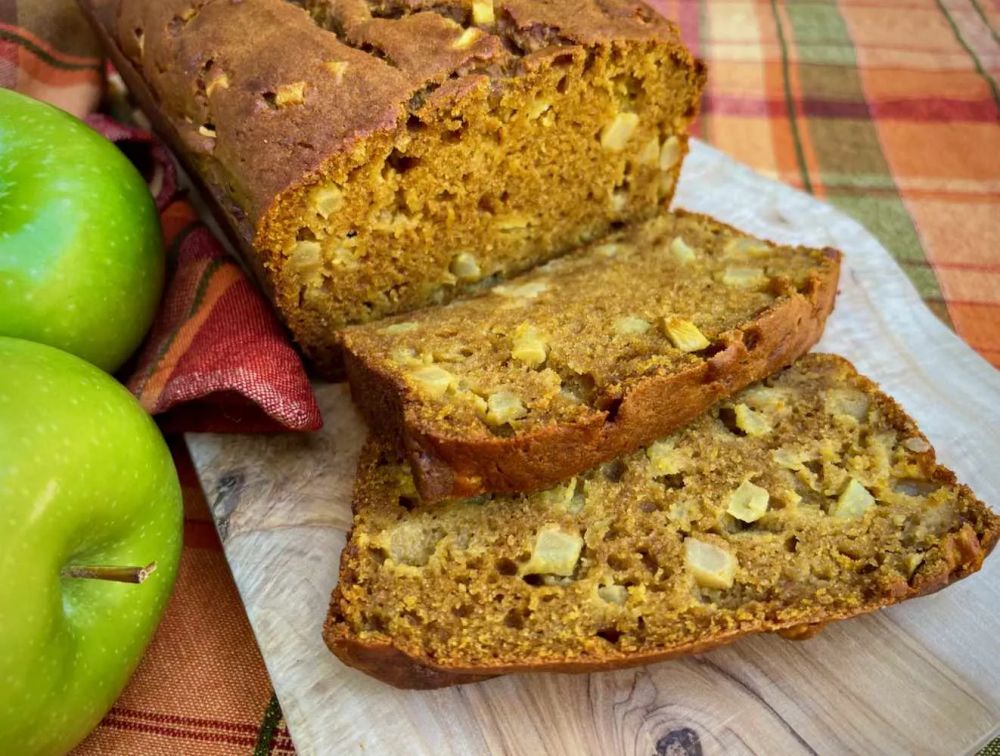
(87, 486)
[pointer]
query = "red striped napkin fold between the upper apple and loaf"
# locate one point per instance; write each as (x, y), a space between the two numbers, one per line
(216, 358)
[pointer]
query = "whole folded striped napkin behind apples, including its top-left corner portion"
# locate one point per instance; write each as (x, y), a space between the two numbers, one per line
(216, 358)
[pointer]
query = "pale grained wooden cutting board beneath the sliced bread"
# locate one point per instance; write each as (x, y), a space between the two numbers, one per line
(923, 677)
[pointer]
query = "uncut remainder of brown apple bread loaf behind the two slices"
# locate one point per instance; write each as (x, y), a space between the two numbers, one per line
(375, 156)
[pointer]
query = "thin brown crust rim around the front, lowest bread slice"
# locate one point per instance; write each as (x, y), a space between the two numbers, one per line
(957, 554)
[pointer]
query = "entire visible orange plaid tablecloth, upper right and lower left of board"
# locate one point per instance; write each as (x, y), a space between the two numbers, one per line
(886, 108)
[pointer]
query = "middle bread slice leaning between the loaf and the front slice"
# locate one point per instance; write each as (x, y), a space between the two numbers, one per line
(588, 357)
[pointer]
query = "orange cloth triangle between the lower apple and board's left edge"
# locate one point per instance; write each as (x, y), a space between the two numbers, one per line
(201, 689)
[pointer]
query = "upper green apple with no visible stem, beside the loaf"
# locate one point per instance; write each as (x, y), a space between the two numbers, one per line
(81, 252)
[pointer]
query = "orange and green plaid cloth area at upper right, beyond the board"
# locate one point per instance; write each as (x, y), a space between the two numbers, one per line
(887, 109)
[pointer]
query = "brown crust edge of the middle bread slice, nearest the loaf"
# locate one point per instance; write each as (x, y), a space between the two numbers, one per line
(449, 467)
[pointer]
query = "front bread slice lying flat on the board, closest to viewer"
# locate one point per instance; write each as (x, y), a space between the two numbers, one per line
(807, 498)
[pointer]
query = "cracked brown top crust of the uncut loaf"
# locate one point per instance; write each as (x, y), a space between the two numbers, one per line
(263, 92)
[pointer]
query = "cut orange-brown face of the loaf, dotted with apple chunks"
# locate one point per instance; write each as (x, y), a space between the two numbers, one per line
(485, 177)
